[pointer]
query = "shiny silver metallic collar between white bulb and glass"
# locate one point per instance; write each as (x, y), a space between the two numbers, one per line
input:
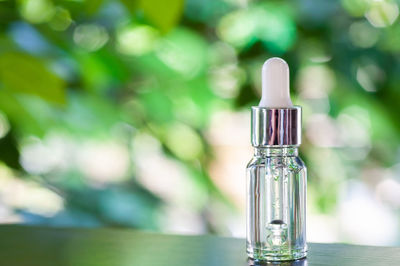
(275, 126)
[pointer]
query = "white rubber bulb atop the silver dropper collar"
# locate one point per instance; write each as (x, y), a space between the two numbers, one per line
(275, 84)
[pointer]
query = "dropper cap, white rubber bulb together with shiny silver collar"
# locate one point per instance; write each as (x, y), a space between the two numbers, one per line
(275, 122)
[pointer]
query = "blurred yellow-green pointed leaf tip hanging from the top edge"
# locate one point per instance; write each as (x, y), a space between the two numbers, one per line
(164, 14)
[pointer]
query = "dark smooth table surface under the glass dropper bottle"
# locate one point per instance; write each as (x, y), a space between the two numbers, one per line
(25, 245)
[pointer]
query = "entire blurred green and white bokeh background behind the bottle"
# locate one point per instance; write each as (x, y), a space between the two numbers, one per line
(136, 113)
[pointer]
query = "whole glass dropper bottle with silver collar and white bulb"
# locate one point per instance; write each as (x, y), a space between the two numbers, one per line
(276, 176)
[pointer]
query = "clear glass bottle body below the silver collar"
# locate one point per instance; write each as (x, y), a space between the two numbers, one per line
(276, 205)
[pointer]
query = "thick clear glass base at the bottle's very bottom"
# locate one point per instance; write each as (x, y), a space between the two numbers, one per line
(258, 254)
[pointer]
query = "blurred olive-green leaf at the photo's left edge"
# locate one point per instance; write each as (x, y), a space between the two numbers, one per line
(22, 73)
